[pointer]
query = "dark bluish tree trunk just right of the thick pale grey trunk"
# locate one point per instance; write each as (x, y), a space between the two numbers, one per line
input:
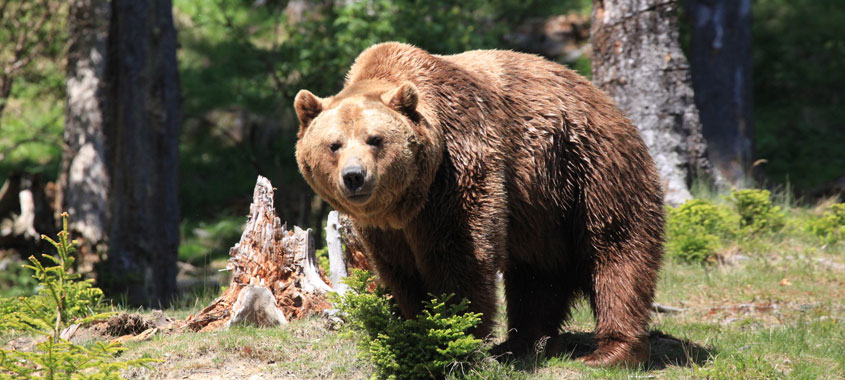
(721, 74)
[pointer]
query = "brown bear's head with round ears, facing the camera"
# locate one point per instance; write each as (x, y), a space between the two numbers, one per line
(368, 151)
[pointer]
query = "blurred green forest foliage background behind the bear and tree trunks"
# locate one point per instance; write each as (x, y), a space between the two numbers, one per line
(241, 62)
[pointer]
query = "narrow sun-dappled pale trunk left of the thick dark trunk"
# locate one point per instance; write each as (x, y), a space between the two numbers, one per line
(83, 179)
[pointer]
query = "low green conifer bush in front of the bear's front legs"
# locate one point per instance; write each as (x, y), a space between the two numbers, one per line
(409, 349)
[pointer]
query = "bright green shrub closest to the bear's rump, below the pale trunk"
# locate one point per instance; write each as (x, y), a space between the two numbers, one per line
(693, 230)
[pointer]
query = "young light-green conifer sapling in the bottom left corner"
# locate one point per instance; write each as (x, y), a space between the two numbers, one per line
(62, 300)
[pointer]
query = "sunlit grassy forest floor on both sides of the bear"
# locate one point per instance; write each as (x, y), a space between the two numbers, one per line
(776, 314)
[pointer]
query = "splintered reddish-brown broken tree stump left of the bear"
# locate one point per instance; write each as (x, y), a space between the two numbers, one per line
(268, 260)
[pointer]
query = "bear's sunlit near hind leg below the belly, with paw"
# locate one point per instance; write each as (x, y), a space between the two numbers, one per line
(621, 295)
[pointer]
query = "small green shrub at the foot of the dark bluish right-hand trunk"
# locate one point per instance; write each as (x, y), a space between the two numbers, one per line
(756, 211)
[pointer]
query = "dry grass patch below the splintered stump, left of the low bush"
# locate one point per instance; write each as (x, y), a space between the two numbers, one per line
(303, 349)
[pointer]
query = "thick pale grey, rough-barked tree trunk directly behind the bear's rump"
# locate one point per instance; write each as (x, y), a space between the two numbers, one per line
(638, 61)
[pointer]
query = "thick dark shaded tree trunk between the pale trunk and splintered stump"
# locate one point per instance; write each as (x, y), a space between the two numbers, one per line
(142, 135)
